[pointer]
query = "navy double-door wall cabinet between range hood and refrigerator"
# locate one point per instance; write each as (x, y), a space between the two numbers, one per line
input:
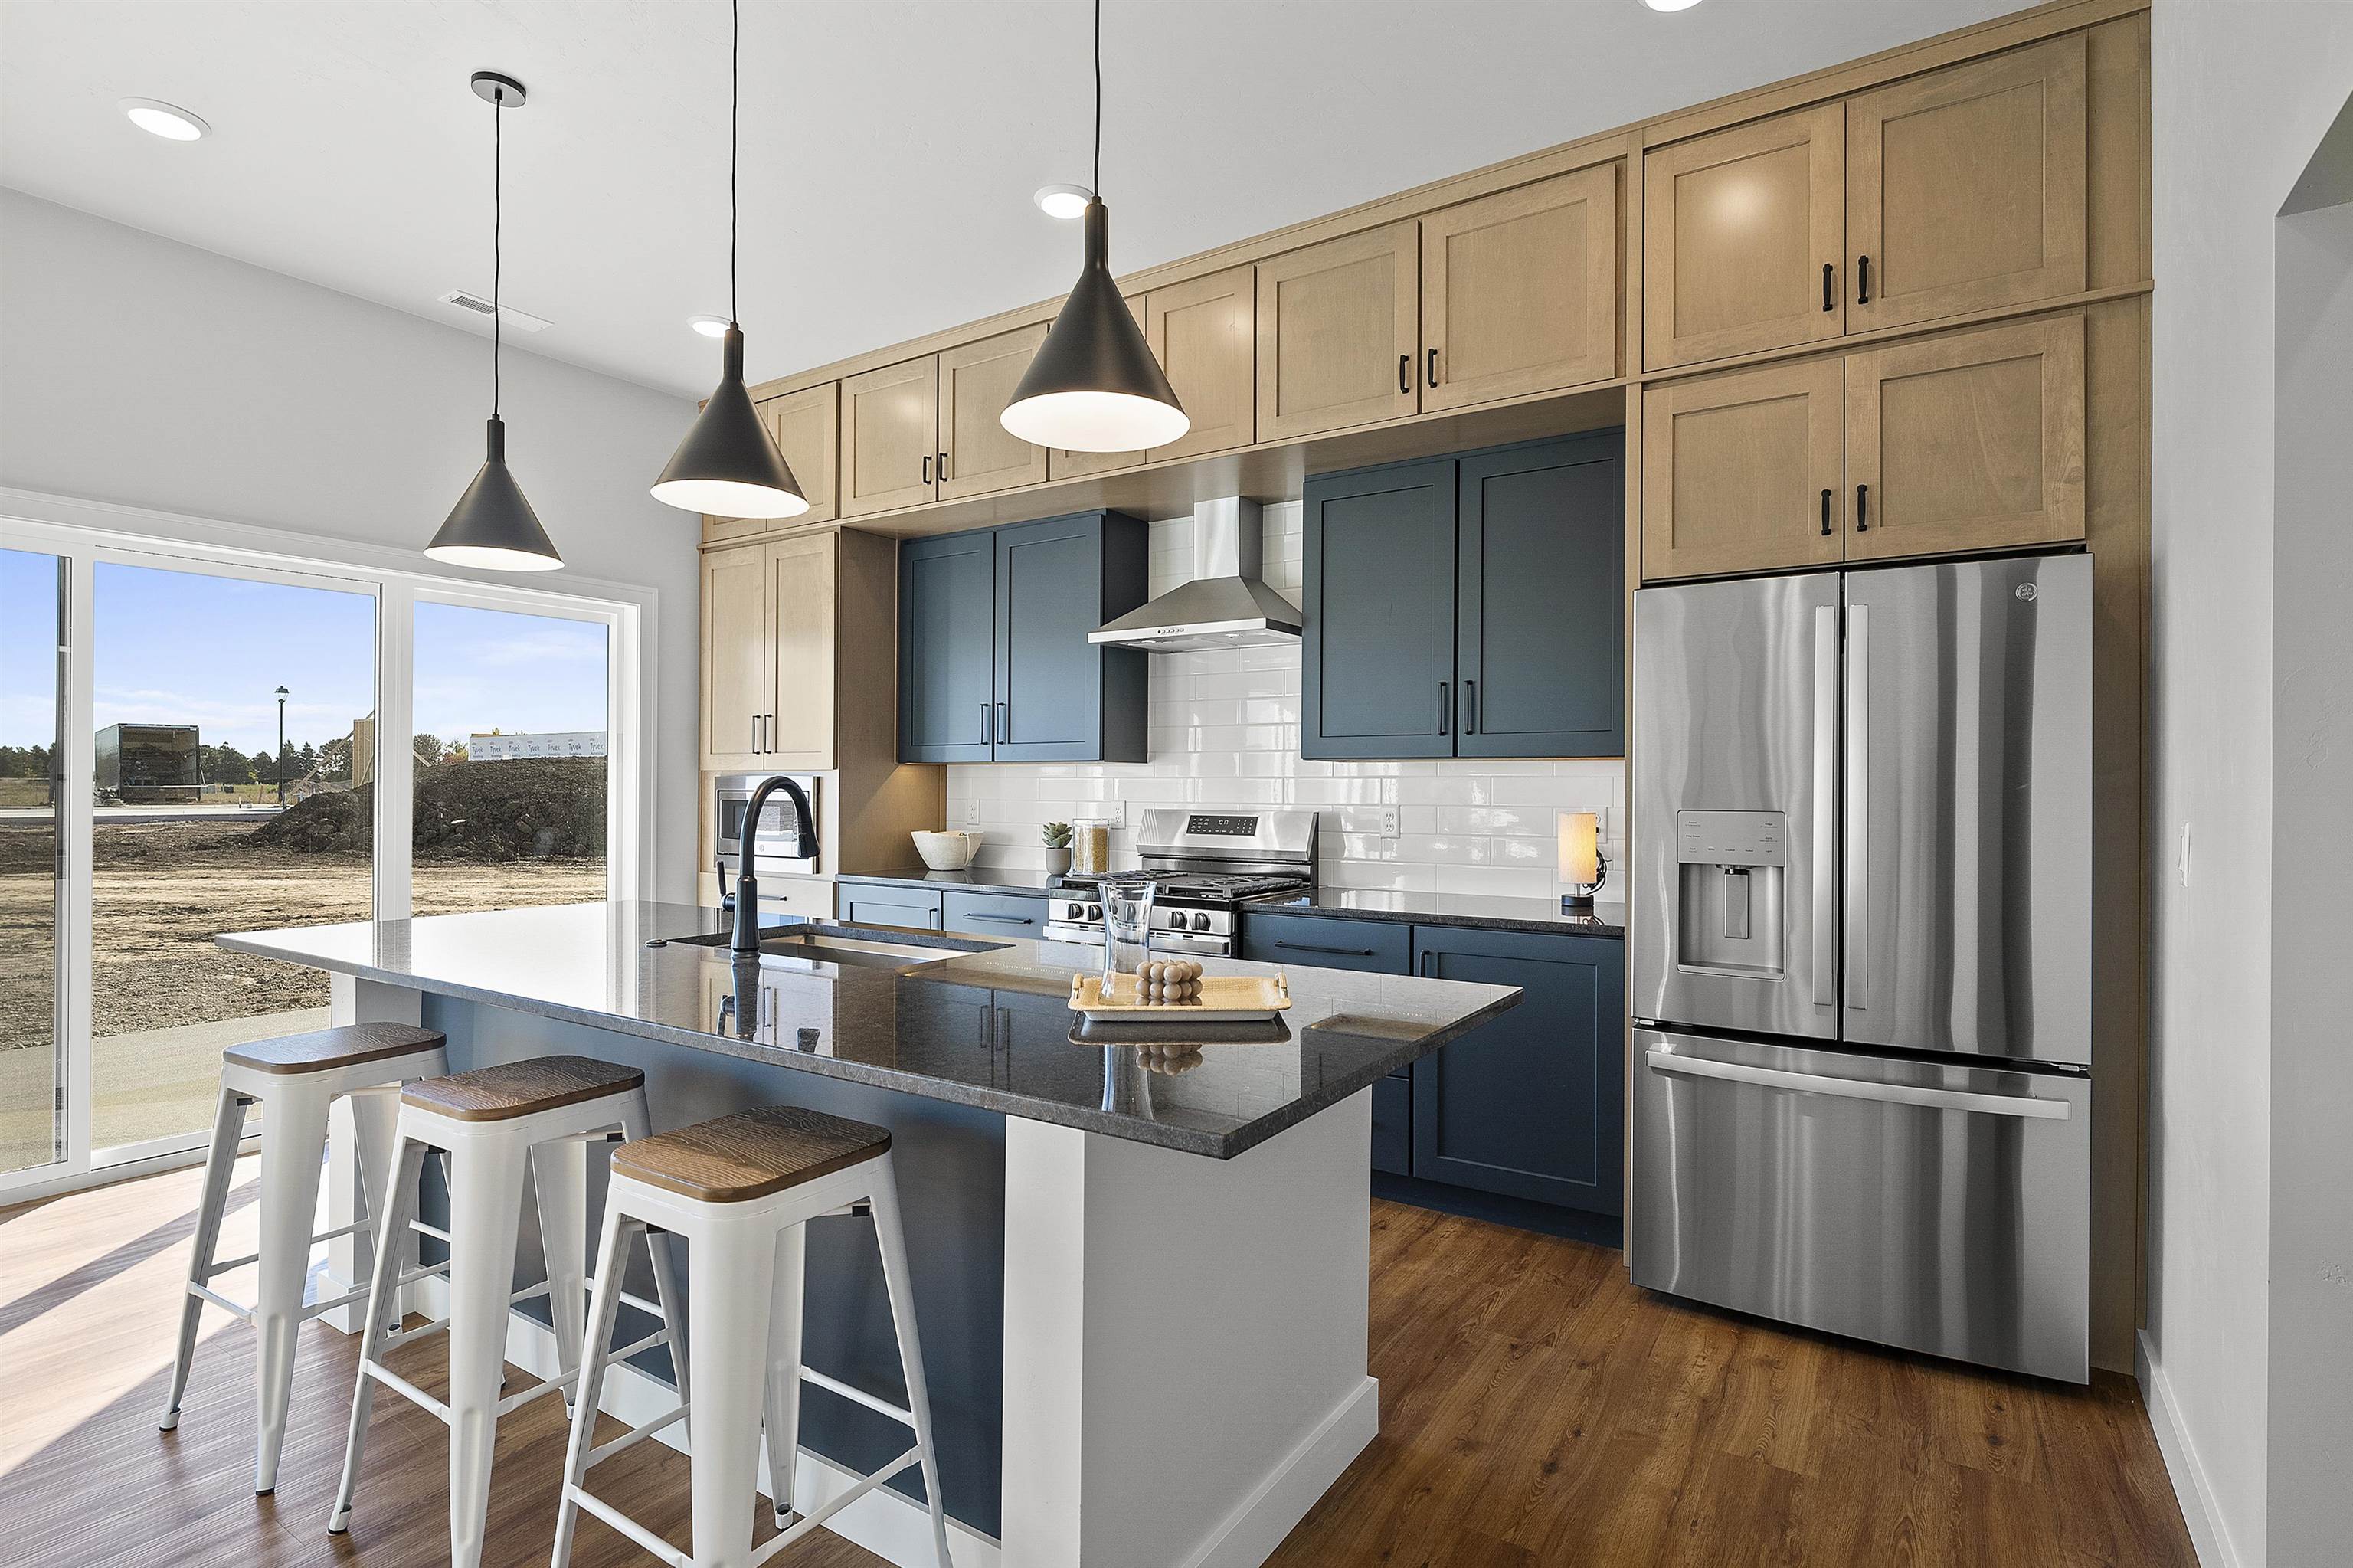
(1469, 606)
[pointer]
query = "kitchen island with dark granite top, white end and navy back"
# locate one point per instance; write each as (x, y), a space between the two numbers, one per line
(1140, 1268)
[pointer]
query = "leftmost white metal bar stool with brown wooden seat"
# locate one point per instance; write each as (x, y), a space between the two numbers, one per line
(295, 1079)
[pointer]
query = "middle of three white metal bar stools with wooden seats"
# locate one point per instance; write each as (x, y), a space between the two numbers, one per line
(488, 1124)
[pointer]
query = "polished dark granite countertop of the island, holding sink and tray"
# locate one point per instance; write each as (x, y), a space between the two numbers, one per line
(987, 1028)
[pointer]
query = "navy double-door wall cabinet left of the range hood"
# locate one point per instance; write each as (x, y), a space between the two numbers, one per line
(994, 656)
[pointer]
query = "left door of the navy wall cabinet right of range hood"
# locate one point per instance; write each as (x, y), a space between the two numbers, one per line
(1378, 670)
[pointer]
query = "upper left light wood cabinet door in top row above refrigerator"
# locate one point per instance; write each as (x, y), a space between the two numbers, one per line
(1742, 244)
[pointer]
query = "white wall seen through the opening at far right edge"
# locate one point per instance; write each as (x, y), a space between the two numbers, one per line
(2312, 896)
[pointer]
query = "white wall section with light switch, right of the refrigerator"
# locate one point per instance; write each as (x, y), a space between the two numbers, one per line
(2244, 93)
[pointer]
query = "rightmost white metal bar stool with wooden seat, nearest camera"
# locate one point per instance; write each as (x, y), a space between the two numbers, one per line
(740, 1190)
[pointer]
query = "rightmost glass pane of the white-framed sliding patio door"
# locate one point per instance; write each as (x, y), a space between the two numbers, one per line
(509, 762)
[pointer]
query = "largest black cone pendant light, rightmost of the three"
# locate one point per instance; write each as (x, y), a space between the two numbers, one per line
(1095, 385)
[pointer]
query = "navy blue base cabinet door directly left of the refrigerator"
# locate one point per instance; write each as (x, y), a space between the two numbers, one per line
(1531, 1103)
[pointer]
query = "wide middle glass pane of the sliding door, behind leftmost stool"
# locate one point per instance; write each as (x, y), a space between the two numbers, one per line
(225, 799)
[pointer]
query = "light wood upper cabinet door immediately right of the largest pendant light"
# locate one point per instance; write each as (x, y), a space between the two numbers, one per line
(1340, 326)
